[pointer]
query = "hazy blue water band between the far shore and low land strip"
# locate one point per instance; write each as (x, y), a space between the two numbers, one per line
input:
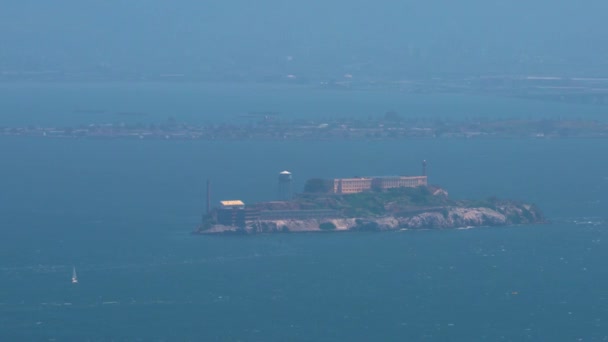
(69, 104)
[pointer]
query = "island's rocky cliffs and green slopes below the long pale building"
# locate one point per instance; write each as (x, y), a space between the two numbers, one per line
(397, 209)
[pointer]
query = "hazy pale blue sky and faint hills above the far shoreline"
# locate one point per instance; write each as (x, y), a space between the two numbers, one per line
(193, 35)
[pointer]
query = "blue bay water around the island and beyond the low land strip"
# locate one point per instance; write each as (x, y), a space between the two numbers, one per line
(121, 212)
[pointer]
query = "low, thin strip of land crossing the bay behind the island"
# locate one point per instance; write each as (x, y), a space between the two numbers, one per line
(390, 127)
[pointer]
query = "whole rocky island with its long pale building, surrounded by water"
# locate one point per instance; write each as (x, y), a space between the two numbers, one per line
(366, 204)
